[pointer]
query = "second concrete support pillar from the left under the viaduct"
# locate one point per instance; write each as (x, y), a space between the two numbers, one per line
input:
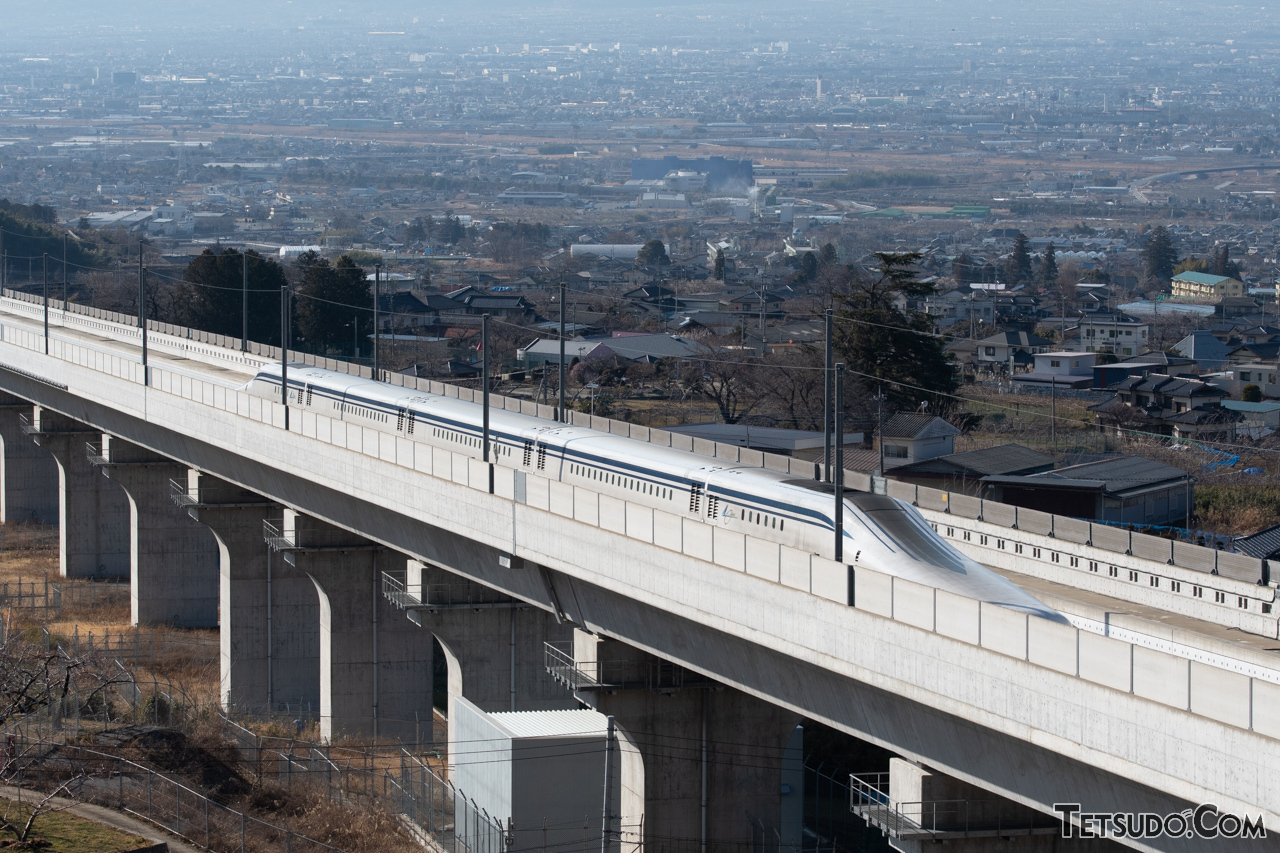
(93, 513)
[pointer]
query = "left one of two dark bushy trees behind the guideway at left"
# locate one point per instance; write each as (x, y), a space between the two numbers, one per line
(213, 295)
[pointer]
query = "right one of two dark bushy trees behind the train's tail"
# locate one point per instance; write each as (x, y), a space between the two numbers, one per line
(330, 299)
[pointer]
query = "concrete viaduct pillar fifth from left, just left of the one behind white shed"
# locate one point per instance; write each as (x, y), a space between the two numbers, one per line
(376, 667)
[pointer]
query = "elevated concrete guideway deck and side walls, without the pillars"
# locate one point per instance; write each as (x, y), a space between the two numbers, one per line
(1031, 710)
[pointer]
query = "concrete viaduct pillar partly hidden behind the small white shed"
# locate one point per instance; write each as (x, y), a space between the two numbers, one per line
(495, 646)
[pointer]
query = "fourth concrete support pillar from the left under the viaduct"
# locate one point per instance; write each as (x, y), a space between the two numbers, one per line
(268, 614)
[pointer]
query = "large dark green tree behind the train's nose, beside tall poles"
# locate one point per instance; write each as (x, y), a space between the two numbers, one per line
(883, 341)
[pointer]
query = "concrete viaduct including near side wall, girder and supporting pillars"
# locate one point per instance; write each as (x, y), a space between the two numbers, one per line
(278, 528)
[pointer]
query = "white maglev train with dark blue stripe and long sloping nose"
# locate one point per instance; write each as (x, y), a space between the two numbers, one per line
(880, 532)
